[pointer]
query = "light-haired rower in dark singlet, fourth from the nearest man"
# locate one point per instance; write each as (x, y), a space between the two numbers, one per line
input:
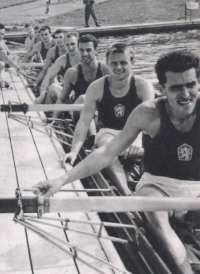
(50, 92)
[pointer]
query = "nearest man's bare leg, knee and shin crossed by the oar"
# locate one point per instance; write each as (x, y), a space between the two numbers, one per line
(160, 227)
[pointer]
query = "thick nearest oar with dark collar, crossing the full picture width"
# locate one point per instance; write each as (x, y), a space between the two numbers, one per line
(101, 204)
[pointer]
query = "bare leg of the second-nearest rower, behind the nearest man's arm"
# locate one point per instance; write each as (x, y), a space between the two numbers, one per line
(115, 169)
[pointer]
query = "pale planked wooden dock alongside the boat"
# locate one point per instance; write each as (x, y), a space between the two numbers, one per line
(30, 156)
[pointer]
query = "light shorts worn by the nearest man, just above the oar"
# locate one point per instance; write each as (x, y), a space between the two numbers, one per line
(169, 186)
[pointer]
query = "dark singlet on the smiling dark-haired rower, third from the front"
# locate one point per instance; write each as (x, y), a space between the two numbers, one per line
(81, 84)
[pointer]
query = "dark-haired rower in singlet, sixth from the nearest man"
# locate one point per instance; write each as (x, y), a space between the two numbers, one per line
(43, 46)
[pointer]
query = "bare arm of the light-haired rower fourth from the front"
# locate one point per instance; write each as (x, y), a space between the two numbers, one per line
(52, 73)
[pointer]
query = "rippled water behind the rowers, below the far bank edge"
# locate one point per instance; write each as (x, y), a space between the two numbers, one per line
(148, 47)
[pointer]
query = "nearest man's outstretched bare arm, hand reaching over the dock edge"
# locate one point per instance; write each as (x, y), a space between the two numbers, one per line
(100, 158)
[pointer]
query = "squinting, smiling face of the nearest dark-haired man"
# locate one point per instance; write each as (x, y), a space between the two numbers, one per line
(181, 89)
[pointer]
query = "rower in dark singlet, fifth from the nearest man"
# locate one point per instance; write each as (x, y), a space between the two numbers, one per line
(53, 54)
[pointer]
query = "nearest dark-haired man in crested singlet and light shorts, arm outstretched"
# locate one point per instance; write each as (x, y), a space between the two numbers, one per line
(171, 127)
